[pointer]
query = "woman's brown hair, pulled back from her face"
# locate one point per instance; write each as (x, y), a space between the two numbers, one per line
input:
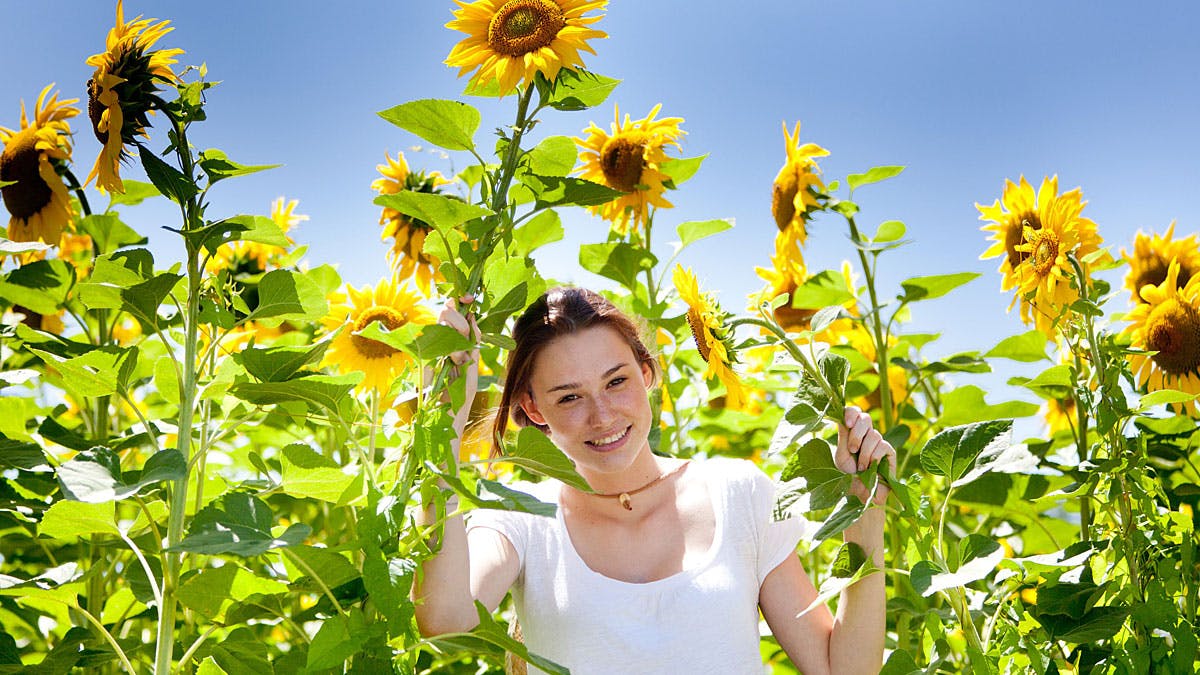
(560, 312)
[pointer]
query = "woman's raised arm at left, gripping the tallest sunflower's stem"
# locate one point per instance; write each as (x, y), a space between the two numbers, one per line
(482, 565)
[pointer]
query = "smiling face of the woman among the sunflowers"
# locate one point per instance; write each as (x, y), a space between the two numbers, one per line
(590, 390)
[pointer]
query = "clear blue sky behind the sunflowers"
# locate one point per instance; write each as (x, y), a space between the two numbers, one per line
(1106, 95)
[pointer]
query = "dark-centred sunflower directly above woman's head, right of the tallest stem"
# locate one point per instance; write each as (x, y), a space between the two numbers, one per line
(629, 159)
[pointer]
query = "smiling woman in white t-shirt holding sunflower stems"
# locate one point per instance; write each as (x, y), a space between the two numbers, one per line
(667, 565)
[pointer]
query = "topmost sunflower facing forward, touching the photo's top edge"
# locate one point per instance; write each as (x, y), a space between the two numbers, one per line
(511, 41)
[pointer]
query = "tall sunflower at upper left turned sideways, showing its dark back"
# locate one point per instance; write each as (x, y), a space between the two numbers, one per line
(124, 91)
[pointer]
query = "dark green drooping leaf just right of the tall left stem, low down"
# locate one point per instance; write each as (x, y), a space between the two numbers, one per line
(238, 524)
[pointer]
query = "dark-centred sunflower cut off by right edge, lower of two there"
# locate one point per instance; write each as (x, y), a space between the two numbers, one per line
(1168, 326)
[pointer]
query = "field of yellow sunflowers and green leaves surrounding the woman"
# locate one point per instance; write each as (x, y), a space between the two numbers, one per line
(213, 464)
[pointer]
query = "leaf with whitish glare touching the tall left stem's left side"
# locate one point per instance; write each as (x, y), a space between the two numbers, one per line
(95, 476)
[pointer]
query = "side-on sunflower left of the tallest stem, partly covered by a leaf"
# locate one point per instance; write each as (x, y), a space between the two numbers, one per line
(407, 255)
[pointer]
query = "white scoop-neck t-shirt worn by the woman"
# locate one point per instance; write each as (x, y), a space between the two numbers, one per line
(704, 619)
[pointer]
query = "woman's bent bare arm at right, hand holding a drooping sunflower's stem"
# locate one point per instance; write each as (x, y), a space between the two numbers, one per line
(851, 642)
